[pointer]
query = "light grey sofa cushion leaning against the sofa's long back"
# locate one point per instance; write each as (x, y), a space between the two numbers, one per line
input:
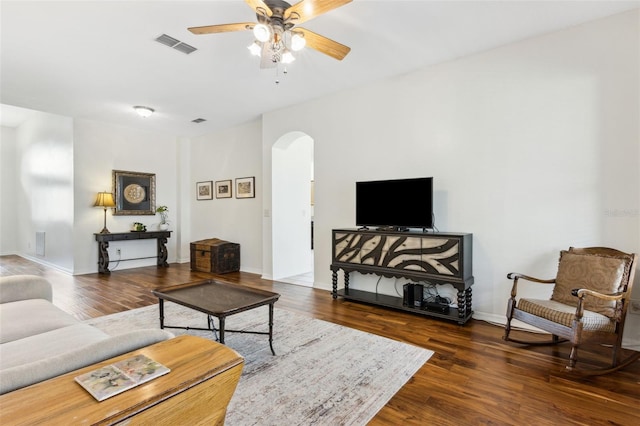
(47, 345)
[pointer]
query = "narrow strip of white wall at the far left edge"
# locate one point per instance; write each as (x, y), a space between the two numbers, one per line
(8, 192)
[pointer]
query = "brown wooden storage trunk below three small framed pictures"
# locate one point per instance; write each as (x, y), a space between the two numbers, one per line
(214, 255)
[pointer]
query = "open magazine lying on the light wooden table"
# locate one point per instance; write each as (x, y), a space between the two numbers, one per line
(116, 378)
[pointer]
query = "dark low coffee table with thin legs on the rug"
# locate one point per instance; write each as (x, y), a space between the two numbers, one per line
(219, 300)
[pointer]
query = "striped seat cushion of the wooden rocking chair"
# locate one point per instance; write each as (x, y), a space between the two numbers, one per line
(564, 314)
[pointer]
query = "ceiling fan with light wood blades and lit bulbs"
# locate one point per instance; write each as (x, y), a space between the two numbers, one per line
(276, 33)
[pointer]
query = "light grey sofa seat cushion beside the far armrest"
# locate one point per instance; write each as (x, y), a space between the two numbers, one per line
(25, 318)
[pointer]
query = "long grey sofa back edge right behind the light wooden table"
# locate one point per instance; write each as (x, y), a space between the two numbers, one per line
(34, 372)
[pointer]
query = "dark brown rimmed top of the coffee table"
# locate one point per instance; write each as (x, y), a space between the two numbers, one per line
(216, 298)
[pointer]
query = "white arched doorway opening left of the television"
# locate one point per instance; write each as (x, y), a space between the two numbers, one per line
(292, 209)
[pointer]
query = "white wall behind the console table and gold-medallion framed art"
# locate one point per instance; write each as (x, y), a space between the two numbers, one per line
(100, 148)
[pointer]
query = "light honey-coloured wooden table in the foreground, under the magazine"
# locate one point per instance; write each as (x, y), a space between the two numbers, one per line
(204, 375)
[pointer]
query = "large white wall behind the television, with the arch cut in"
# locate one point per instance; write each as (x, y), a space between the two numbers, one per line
(533, 148)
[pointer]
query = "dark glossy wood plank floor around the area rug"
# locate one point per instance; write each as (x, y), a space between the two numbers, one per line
(474, 378)
